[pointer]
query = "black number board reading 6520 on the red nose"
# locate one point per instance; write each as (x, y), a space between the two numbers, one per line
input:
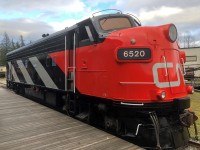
(134, 54)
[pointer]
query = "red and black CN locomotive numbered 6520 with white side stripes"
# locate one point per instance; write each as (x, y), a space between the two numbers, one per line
(110, 70)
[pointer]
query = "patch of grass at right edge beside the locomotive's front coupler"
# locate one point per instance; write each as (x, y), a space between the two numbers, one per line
(195, 106)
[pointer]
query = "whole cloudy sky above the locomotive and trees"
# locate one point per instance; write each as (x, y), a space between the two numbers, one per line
(32, 18)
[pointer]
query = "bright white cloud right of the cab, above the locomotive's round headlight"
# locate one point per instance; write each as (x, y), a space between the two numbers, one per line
(185, 19)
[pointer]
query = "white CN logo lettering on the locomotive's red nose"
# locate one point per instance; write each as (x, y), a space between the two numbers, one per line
(165, 66)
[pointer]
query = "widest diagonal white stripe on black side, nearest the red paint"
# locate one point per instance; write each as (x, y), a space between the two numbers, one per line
(42, 73)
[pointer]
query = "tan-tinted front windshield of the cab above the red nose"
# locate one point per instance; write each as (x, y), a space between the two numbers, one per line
(114, 23)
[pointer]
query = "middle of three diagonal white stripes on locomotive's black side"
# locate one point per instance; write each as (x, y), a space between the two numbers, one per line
(24, 72)
